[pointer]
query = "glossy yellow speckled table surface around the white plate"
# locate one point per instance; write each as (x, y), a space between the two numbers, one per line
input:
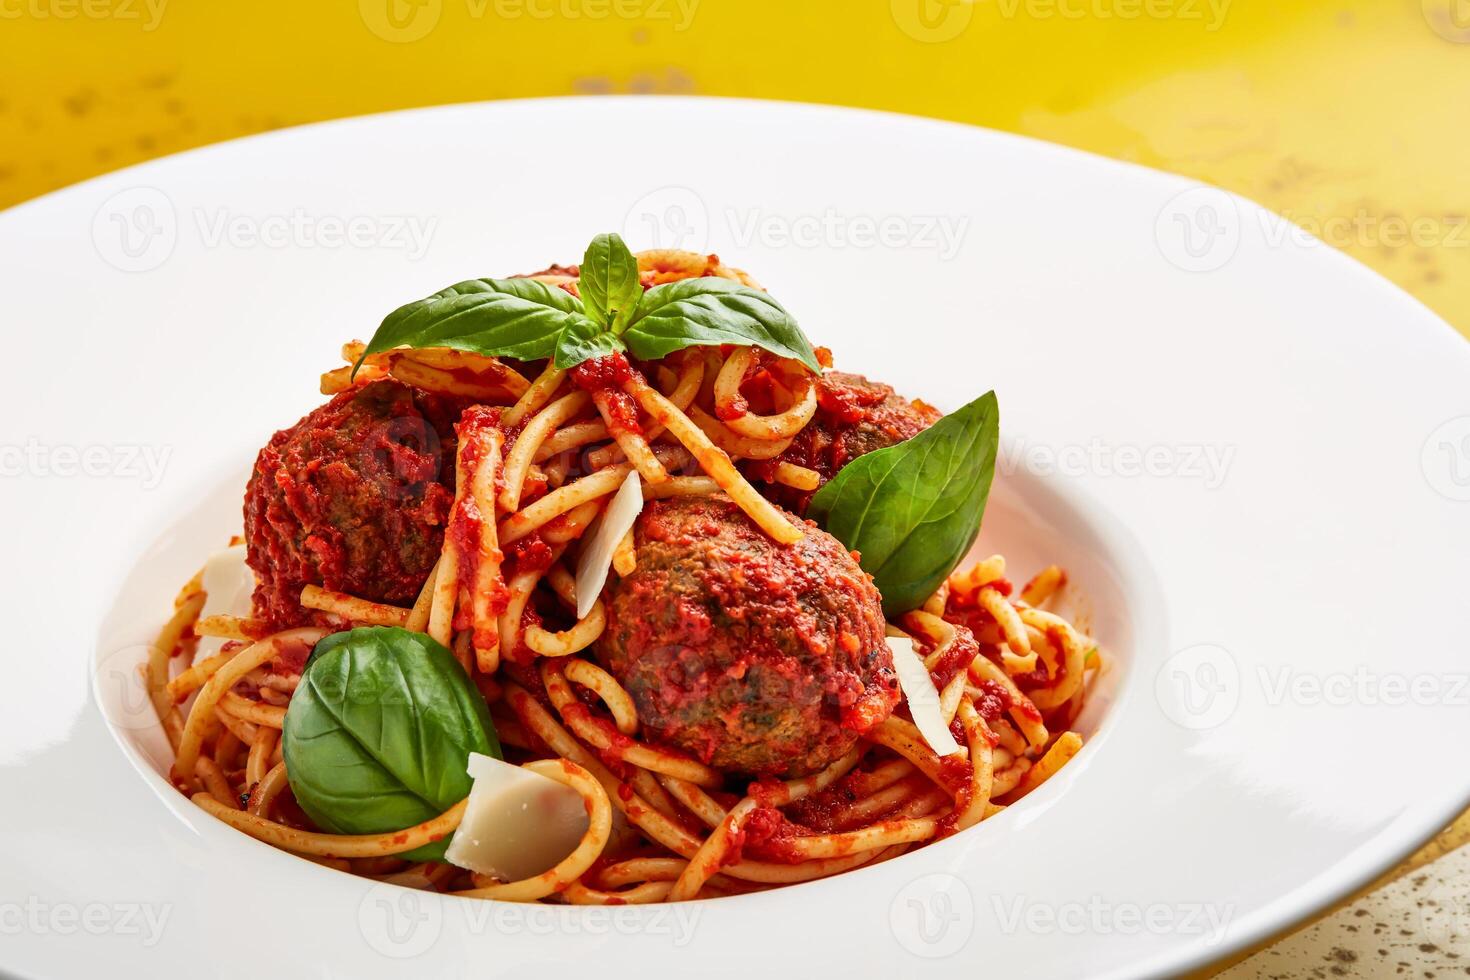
(1347, 117)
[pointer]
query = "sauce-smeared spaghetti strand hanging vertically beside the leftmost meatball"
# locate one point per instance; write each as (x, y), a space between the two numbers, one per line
(480, 447)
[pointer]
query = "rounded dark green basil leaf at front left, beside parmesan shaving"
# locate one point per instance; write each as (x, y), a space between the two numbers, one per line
(380, 731)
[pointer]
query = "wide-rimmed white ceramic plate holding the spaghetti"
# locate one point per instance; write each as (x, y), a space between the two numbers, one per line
(1253, 453)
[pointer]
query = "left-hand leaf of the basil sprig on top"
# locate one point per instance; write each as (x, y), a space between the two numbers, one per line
(498, 318)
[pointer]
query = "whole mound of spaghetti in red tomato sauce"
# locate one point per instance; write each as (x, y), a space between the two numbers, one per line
(539, 458)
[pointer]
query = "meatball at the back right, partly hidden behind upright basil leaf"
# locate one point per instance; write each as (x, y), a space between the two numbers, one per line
(855, 417)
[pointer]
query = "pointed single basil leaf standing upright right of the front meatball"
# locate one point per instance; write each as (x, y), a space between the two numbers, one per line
(914, 509)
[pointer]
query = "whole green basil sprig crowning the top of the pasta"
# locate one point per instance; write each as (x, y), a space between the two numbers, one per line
(531, 321)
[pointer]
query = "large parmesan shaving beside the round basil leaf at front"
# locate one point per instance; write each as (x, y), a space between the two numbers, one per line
(518, 824)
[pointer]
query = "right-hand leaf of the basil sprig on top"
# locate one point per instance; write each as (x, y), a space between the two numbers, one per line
(711, 312)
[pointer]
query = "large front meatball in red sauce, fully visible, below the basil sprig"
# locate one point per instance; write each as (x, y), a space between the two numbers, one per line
(755, 657)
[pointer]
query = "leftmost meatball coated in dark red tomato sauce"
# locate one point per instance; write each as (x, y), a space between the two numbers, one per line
(354, 499)
